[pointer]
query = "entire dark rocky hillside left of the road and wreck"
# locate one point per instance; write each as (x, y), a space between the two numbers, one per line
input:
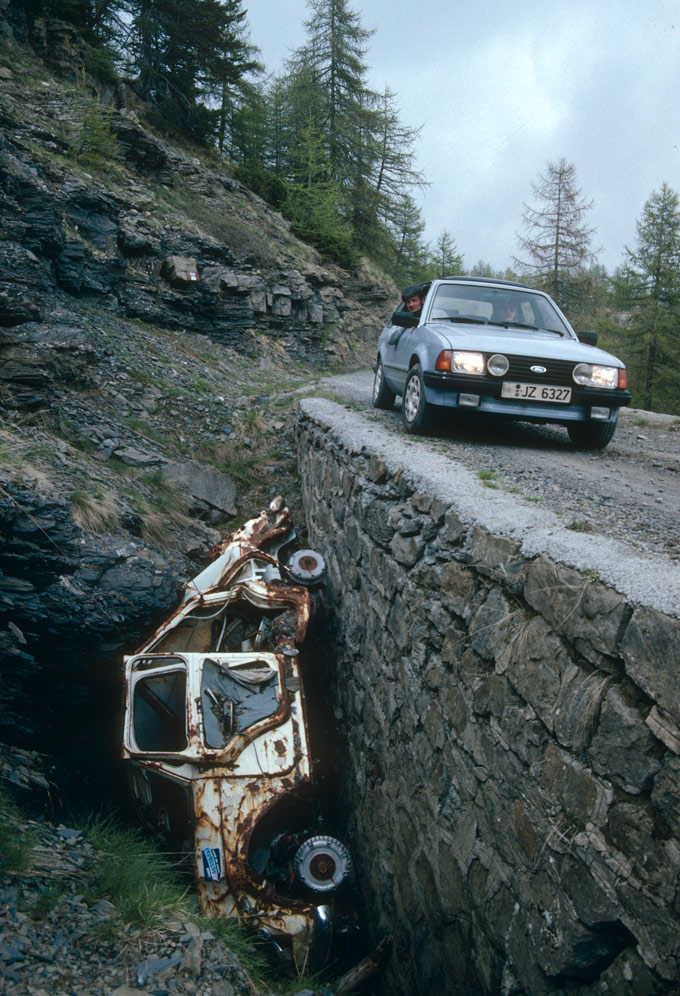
(155, 319)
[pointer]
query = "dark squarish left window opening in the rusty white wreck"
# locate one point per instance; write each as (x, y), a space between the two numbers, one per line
(159, 712)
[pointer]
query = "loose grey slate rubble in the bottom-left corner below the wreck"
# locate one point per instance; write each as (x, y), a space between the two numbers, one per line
(55, 941)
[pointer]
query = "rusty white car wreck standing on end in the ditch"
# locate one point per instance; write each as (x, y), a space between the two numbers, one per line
(217, 744)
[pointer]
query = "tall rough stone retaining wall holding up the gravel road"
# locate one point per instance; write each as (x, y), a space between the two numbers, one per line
(513, 731)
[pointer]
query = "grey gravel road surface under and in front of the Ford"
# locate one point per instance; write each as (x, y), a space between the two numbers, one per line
(629, 491)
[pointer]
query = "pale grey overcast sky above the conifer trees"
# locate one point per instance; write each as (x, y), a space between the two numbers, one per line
(502, 88)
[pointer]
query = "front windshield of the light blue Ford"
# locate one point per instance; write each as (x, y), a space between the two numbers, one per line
(495, 306)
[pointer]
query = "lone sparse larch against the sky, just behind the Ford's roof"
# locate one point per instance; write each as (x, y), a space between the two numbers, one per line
(556, 244)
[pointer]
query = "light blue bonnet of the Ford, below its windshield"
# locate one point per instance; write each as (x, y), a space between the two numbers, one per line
(522, 342)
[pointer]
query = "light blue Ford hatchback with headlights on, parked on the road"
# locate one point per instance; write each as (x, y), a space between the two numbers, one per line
(501, 348)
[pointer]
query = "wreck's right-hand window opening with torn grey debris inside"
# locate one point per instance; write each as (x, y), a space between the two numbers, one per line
(233, 699)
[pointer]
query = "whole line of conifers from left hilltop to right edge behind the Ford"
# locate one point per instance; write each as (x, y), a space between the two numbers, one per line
(318, 144)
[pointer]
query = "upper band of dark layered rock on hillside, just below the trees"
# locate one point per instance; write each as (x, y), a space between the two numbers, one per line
(156, 233)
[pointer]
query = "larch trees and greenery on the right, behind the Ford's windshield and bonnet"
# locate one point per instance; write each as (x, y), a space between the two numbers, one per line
(636, 310)
